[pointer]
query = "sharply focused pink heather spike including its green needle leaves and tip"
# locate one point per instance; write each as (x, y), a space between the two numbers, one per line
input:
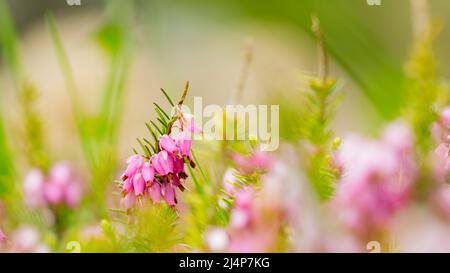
(160, 170)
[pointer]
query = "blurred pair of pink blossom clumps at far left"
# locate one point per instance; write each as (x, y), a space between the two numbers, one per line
(60, 187)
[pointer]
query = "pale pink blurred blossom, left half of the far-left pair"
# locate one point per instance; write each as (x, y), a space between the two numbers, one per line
(33, 188)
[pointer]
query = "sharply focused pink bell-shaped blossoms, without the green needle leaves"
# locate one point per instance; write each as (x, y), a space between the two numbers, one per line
(162, 173)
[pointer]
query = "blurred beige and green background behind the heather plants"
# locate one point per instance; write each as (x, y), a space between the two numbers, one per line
(203, 41)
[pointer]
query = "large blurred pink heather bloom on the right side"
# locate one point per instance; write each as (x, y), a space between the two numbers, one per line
(377, 179)
